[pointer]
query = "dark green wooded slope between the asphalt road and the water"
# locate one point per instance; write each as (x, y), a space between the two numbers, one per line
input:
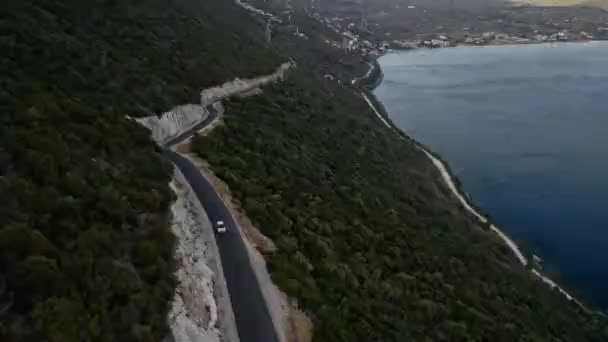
(367, 240)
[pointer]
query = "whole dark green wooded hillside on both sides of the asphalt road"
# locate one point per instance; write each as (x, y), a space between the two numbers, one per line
(370, 243)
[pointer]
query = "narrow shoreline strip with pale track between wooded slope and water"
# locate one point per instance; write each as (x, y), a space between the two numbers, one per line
(365, 85)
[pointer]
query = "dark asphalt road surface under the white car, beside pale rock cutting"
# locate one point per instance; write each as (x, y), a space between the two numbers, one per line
(253, 320)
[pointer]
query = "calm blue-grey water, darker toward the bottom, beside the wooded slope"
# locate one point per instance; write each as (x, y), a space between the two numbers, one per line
(525, 128)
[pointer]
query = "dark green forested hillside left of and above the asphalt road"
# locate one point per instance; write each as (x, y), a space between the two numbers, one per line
(85, 251)
